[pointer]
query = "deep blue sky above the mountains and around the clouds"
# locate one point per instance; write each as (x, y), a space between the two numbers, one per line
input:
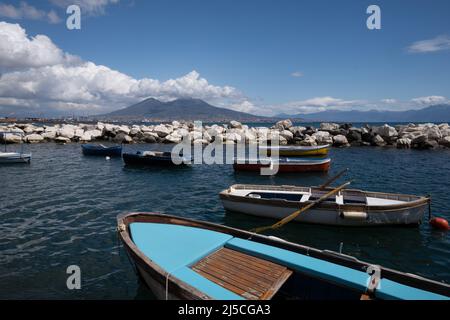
(276, 56)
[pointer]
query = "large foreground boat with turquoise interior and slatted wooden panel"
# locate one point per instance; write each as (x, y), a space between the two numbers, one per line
(179, 258)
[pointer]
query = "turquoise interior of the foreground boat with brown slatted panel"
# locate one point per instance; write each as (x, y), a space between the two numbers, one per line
(226, 267)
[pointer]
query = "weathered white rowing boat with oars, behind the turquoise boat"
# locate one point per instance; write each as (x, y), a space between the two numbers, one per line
(348, 208)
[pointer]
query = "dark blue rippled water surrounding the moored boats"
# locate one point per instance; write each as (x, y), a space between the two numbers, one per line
(61, 210)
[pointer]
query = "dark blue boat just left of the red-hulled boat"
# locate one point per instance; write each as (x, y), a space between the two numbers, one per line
(153, 158)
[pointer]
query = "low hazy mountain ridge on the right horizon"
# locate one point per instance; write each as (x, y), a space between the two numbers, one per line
(436, 113)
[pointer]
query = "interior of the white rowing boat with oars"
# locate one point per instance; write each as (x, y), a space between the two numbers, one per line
(304, 194)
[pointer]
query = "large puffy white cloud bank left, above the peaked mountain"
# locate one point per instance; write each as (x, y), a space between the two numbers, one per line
(37, 71)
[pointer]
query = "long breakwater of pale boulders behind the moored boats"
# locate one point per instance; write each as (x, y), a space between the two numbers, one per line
(418, 136)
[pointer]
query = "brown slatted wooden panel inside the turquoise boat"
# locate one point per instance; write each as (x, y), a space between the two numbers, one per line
(248, 276)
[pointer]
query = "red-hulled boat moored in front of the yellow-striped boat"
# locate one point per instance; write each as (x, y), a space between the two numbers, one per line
(284, 164)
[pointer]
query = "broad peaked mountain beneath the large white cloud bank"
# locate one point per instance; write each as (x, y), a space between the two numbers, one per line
(180, 109)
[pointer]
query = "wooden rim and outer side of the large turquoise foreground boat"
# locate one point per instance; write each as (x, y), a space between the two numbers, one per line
(186, 291)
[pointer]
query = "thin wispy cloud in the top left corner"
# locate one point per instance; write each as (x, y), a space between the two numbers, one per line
(26, 11)
